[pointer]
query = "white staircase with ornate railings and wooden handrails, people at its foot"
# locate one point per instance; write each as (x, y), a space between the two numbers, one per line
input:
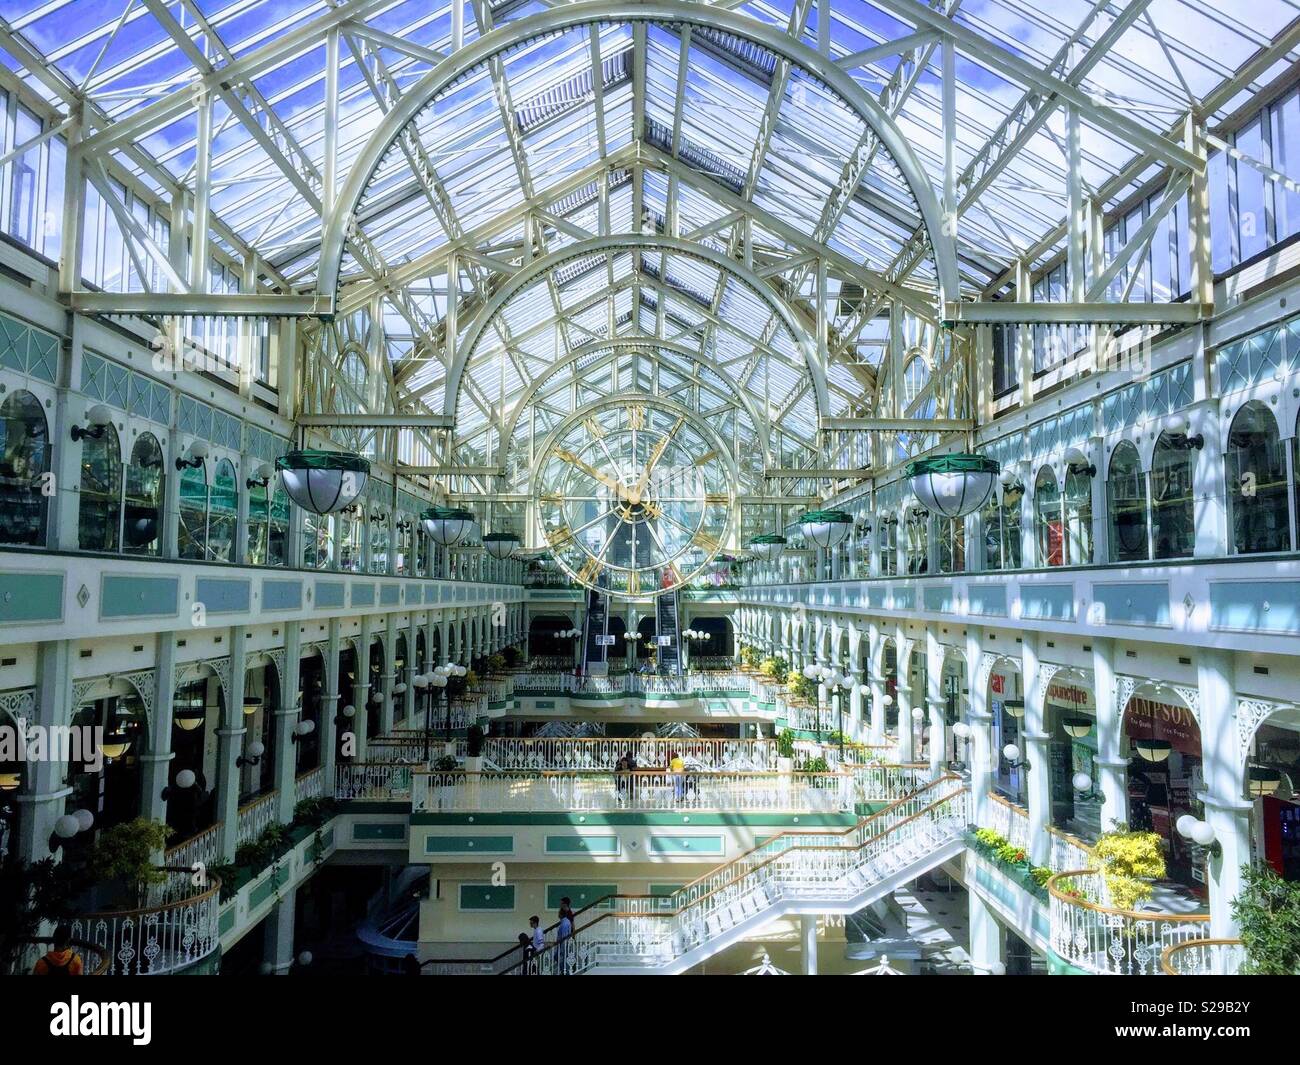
(794, 873)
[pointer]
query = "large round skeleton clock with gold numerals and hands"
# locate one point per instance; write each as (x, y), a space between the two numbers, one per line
(634, 496)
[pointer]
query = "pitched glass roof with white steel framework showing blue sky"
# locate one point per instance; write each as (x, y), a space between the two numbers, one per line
(652, 129)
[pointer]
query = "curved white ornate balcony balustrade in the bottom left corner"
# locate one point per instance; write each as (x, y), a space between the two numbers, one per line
(175, 930)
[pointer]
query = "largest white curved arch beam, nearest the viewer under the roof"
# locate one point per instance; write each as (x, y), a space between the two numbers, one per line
(343, 215)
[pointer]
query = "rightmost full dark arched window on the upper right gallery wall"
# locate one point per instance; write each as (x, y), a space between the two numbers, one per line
(1256, 471)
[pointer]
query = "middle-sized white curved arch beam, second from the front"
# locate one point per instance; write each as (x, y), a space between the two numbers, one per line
(626, 243)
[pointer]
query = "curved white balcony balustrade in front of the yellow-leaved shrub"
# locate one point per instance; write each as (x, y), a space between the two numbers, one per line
(1107, 941)
